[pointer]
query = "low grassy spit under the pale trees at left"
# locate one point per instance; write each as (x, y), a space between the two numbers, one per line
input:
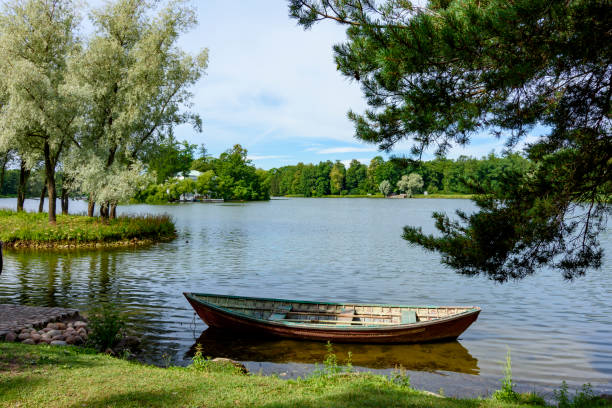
(32, 230)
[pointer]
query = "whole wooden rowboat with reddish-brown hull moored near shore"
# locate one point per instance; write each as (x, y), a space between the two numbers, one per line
(335, 322)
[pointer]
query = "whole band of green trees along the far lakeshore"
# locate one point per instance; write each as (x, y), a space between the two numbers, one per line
(232, 176)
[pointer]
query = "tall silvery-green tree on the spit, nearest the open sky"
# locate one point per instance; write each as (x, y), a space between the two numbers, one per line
(137, 83)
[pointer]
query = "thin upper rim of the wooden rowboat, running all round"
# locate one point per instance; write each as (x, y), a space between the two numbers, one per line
(347, 327)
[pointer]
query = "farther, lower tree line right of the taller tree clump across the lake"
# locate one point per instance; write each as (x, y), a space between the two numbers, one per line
(447, 176)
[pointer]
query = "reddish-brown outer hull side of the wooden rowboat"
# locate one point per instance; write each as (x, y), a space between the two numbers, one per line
(448, 328)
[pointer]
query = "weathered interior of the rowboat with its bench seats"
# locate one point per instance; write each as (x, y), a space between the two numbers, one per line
(284, 311)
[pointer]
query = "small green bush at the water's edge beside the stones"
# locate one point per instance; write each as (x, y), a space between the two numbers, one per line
(106, 324)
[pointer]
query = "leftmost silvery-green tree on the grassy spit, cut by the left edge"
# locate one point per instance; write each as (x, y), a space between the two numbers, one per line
(37, 39)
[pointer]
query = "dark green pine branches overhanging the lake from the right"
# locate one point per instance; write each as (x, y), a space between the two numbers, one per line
(438, 72)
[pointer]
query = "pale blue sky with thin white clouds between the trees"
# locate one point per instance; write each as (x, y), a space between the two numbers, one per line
(273, 87)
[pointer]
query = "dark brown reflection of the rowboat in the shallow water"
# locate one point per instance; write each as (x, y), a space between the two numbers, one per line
(443, 356)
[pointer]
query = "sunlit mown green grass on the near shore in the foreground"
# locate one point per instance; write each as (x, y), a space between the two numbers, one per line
(48, 376)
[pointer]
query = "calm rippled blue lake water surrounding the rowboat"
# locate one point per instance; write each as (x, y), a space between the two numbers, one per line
(337, 250)
